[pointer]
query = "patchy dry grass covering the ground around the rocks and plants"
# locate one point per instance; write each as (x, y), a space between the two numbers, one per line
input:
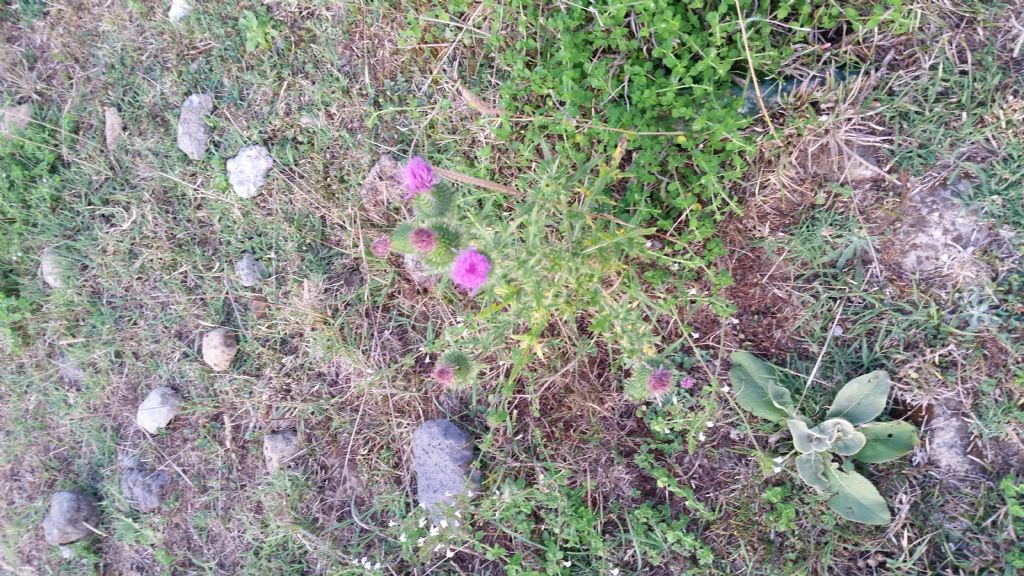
(578, 480)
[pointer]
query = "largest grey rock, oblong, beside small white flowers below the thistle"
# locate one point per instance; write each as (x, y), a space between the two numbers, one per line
(443, 454)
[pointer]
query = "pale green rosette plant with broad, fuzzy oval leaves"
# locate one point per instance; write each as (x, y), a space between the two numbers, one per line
(848, 432)
